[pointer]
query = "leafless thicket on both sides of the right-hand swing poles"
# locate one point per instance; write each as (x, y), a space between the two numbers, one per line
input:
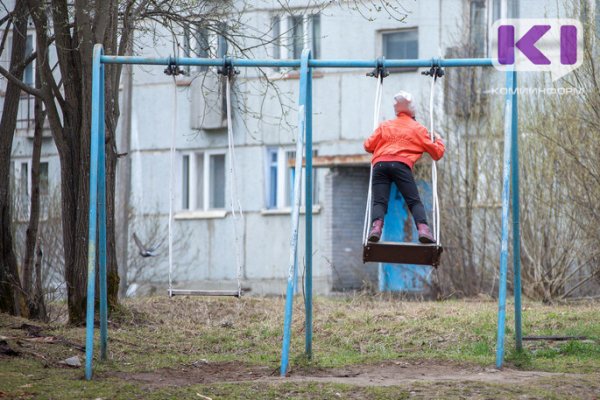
(560, 183)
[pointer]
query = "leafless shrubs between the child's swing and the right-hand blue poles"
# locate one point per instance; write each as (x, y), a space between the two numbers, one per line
(471, 126)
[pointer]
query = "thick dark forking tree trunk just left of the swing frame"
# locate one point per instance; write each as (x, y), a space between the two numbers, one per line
(66, 127)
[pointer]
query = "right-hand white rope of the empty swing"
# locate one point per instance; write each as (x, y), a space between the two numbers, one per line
(234, 198)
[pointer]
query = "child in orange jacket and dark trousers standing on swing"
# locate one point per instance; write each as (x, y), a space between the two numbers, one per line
(396, 145)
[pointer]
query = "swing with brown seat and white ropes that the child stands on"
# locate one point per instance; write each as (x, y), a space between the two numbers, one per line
(404, 252)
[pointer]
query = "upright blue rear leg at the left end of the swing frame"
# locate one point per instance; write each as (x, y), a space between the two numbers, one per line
(102, 223)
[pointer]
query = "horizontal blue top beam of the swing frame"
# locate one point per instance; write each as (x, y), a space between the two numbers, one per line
(243, 62)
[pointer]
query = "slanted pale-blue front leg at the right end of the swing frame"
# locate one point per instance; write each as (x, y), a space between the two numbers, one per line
(508, 117)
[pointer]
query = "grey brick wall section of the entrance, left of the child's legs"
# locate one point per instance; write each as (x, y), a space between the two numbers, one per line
(345, 194)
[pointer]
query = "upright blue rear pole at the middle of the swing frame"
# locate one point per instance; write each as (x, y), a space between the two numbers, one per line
(308, 203)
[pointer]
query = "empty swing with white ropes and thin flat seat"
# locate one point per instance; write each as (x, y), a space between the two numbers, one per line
(236, 209)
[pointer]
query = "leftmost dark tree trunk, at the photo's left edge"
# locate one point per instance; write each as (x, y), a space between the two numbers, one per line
(11, 294)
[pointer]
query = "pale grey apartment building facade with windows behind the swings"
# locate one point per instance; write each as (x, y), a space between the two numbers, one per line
(192, 106)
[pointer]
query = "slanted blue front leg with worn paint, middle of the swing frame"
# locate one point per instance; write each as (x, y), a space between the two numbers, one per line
(293, 264)
